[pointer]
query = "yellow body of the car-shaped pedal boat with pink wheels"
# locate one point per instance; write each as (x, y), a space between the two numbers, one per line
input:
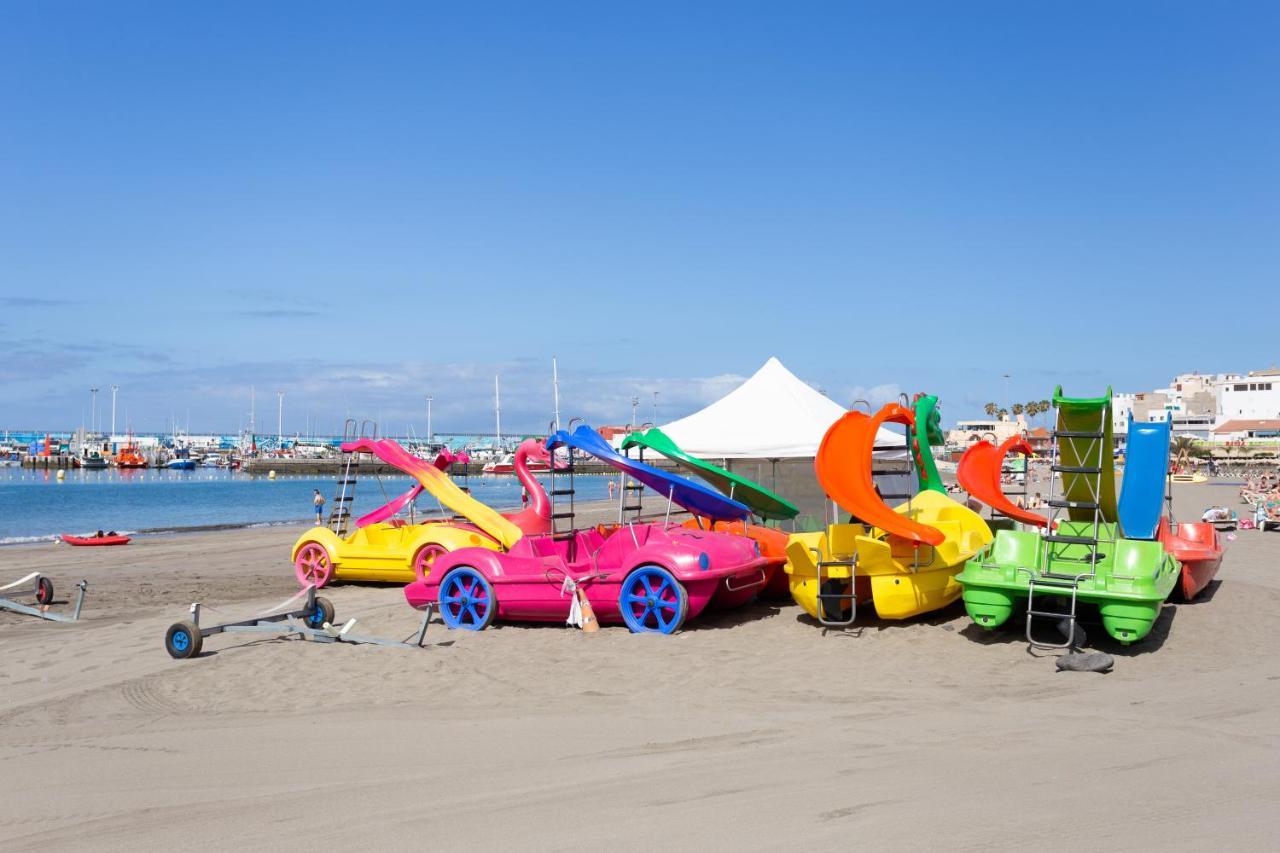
(387, 553)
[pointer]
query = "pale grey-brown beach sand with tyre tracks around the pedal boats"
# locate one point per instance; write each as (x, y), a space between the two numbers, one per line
(753, 731)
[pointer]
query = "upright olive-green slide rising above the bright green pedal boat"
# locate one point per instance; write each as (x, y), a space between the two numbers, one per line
(1085, 454)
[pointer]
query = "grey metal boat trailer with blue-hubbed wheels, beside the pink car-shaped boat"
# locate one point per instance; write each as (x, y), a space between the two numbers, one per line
(313, 622)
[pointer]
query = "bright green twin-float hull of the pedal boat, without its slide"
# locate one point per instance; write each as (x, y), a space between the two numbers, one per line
(1133, 578)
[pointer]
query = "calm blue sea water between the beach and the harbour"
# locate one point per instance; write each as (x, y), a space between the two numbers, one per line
(35, 507)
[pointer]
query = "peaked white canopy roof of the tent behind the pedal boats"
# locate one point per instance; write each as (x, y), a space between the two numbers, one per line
(771, 416)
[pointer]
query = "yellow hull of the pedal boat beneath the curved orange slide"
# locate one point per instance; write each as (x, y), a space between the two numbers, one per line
(903, 581)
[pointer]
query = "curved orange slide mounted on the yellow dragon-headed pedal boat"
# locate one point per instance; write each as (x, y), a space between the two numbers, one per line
(844, 467)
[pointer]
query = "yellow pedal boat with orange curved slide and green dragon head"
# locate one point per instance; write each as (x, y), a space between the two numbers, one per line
(904, 560)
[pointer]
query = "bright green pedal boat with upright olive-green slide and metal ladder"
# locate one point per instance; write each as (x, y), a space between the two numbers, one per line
(1084, 555)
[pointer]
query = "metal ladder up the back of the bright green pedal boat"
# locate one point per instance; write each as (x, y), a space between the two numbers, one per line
(1090, 466)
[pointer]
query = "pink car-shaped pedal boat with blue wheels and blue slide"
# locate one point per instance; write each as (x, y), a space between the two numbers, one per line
(648, 577)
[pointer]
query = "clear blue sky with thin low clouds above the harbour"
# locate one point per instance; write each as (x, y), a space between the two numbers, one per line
(363, 204)
